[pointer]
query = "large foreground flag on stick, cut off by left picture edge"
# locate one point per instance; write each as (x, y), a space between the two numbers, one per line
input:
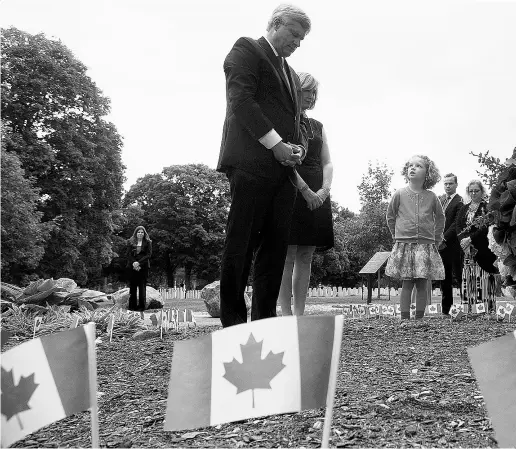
(46, 379)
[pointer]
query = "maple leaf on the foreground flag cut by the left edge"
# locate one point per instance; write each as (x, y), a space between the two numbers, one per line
(15, 398)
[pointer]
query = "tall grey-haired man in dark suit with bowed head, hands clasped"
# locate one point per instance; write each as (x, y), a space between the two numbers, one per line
(262, 141)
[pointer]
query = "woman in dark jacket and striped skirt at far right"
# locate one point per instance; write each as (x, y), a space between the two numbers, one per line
(478, 270)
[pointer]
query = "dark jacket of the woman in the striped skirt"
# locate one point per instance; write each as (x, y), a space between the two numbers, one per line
(484, 256)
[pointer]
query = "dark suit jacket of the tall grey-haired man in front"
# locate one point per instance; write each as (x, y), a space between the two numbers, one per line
(258, 99)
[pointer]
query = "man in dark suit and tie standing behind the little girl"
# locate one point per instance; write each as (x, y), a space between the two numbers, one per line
(450, 249)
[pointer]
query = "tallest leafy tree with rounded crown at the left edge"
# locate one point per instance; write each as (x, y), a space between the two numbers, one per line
(52, 115)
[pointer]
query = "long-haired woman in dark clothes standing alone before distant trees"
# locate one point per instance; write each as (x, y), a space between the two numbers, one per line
(139, 251)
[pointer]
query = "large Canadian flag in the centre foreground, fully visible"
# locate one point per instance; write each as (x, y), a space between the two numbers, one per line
(264, 367)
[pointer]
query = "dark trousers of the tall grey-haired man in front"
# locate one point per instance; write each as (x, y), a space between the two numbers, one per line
(258, 223)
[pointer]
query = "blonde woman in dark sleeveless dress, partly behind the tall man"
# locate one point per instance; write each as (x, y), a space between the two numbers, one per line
(312, 223)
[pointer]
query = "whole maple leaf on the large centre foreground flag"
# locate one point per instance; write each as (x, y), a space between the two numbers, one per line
(254, 372)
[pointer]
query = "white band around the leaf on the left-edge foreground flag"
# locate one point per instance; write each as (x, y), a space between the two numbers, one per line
(23, 361)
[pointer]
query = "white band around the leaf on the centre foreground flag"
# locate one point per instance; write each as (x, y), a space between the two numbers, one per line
(226, 404)
